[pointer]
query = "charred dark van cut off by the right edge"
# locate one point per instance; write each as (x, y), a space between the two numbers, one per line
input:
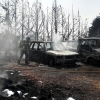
(89, 50)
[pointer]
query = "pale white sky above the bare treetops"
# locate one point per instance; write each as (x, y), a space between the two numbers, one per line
(88, 9)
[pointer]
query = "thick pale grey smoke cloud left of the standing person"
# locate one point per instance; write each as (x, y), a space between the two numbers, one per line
(8, 45)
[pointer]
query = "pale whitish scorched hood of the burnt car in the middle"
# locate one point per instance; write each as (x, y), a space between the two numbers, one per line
(62, 53)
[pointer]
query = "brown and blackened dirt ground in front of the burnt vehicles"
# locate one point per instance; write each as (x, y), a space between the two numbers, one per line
(81, 82)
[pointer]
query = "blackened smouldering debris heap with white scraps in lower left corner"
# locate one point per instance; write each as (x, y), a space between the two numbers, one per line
(14, 87)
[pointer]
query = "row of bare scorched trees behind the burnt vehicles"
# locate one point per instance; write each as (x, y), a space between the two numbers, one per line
(19, 19)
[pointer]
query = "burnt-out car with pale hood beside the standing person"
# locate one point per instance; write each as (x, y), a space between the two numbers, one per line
(51, 53)
